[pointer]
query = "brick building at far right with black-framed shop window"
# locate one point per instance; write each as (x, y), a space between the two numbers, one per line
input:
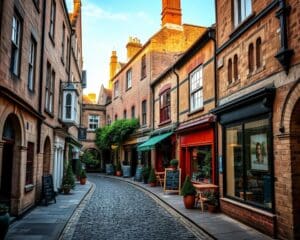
(258, 111)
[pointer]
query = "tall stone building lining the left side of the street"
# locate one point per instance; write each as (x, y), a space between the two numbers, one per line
(37, 60)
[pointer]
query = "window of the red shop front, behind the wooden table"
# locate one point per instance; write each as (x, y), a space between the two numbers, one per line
(201, 163)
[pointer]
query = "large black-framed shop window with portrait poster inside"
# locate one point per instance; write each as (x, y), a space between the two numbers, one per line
(248, 166)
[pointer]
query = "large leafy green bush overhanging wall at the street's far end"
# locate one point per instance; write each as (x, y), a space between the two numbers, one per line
(116, 133)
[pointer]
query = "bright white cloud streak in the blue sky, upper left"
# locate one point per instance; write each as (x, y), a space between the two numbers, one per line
(92, 10)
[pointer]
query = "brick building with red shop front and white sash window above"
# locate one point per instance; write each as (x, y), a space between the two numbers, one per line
(183, 96)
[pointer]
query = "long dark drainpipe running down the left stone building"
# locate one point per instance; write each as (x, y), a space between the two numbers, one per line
(39, 127)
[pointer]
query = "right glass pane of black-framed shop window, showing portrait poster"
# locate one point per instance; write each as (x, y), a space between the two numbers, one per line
(258, 185)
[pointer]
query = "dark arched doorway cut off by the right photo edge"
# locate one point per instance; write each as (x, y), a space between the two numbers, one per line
(295, 159)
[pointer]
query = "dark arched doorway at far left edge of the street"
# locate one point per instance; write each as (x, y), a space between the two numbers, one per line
(10, 157)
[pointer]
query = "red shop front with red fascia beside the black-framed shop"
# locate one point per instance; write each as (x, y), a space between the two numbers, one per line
(197, 151)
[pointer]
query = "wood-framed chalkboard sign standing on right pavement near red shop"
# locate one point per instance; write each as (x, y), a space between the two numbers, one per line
(172, 179)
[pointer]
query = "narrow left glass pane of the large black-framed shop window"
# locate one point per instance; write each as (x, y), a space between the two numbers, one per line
(234, 162)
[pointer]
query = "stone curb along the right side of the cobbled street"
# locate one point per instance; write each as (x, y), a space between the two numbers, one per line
(192, 226)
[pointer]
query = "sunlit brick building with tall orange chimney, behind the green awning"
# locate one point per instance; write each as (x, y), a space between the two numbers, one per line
(131, 94)
